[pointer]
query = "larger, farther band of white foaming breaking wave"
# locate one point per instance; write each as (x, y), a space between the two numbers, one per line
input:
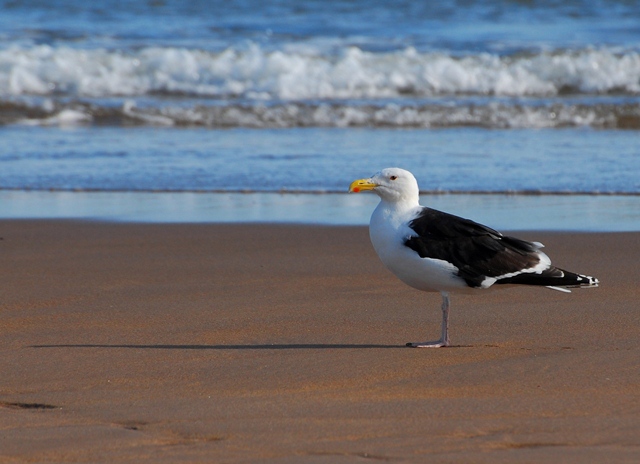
(254, 73)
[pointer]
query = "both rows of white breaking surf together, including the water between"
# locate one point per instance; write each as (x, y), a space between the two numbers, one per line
(305, 87)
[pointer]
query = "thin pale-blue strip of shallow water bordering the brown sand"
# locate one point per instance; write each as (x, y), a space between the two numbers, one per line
(590, 213)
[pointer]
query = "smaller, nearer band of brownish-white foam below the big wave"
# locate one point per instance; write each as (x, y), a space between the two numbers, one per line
(346, 114)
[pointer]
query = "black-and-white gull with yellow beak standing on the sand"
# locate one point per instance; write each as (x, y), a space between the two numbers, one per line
(434, 251)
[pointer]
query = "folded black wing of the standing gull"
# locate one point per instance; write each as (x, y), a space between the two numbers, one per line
(476, 250)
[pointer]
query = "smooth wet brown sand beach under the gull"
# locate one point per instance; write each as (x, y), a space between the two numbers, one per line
(268, 343)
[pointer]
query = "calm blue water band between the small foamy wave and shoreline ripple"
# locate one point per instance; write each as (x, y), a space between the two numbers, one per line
(318, 159)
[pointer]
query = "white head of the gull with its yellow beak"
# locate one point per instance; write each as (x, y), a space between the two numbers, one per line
(391, 184)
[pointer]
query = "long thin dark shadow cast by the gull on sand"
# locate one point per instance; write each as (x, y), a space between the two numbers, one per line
(275, 346)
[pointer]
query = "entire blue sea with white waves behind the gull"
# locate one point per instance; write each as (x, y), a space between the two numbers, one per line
(274, 104)
